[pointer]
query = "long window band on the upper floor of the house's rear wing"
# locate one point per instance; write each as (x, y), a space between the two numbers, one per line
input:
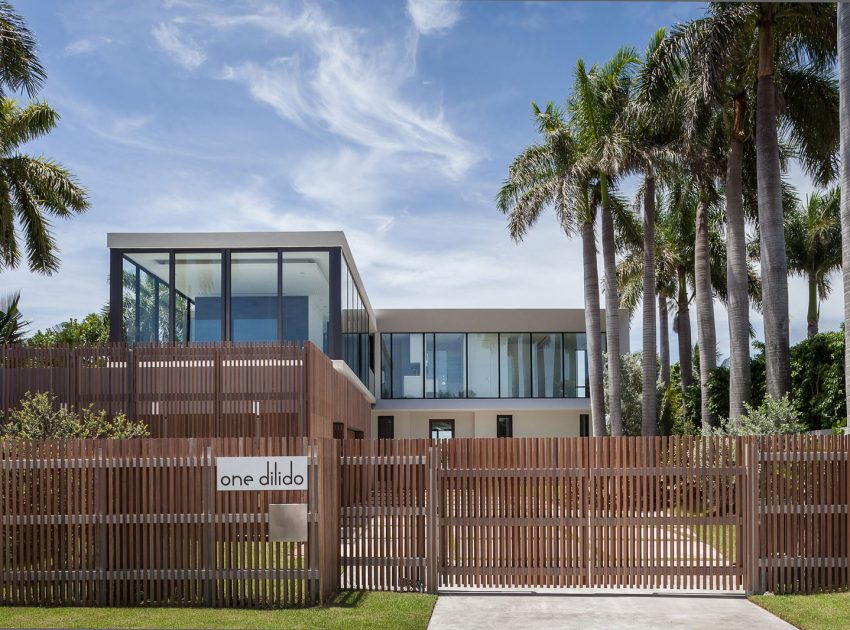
(484, 365)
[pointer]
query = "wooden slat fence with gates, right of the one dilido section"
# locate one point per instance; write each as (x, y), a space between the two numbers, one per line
(717, 514)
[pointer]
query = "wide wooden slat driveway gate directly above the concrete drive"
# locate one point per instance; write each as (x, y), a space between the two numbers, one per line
(660, 513)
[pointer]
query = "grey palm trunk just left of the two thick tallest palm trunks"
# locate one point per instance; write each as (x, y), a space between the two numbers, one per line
(705, 312)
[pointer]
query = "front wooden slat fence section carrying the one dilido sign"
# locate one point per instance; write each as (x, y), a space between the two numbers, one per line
(139, 522)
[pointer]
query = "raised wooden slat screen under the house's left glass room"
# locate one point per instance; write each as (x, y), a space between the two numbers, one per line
(202, 390)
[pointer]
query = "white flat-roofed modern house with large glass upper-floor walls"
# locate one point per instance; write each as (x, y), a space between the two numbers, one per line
(428, 372)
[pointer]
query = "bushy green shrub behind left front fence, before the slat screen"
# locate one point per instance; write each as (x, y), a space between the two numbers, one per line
(37, 418)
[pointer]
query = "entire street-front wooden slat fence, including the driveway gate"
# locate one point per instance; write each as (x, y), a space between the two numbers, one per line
(139, 522)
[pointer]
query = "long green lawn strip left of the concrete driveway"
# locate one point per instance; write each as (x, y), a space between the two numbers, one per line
(349, 609)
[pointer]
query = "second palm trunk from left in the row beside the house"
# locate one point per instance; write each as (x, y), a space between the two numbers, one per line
(612, 314)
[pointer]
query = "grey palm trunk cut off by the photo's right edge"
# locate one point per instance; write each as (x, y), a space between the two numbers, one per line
(844, 115)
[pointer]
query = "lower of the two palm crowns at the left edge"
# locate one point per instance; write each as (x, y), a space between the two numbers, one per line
(30, 188)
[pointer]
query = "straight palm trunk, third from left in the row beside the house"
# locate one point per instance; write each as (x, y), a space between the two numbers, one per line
(649, 362)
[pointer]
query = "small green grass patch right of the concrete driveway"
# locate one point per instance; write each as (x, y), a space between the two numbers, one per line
(823, 611)
